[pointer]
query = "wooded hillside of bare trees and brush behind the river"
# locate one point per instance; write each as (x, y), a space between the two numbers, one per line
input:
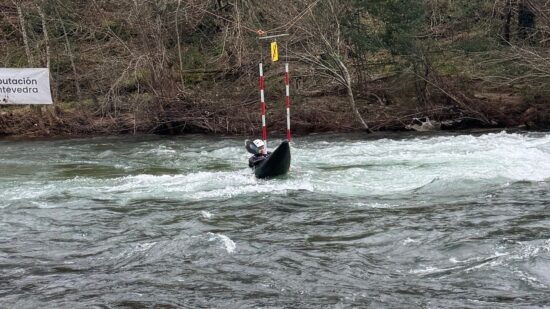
(171, 66)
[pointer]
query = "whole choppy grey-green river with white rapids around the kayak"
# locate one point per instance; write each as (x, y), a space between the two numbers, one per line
(425, 221)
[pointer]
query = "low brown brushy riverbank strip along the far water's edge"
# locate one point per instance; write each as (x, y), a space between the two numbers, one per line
(310, 114)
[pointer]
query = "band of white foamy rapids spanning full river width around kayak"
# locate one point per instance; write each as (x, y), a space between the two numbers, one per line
(444, 164)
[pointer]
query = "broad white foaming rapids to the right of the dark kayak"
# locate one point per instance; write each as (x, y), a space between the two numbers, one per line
(391, 166)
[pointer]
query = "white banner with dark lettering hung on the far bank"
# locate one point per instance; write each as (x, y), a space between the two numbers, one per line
(25, 86)
